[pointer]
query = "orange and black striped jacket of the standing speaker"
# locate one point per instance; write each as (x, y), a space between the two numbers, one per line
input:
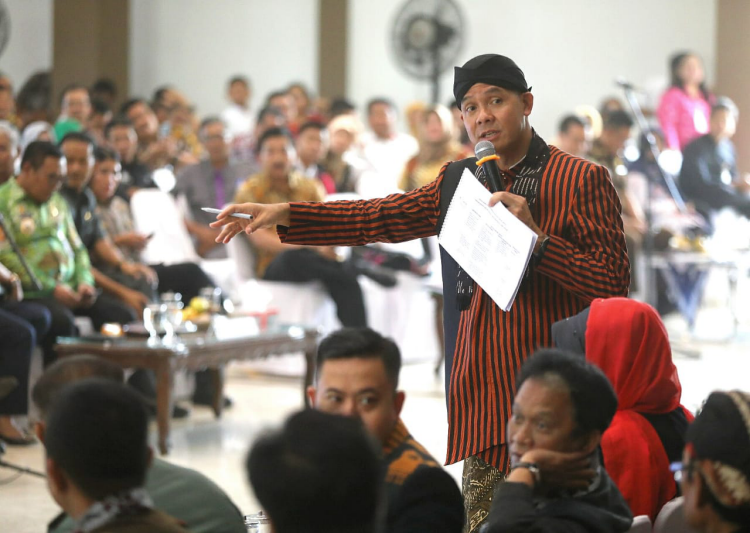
(586, 258)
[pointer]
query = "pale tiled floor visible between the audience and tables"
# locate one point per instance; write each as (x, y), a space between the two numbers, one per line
(217, 448)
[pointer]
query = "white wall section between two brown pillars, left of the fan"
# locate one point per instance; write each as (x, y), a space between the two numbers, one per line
(197, 45)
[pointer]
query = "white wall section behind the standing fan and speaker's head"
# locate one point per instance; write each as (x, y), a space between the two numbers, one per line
(570, 50)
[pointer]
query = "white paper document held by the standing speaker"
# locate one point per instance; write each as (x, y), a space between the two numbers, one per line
(489, 243)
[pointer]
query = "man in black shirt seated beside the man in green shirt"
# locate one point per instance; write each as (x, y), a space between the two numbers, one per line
(129, 283)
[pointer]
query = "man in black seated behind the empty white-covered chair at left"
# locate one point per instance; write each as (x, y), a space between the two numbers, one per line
(121, 137)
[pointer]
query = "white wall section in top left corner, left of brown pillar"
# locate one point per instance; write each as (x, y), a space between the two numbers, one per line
(30, 47)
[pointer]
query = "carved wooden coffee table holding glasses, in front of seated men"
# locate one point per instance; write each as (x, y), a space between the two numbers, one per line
(196, 352)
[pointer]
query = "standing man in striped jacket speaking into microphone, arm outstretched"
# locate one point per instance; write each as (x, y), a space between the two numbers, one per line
(580, 255)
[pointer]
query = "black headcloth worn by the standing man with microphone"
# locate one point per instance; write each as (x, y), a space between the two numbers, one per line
(492, 69)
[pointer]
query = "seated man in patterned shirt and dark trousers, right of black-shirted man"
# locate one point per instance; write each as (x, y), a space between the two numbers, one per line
(114, 213)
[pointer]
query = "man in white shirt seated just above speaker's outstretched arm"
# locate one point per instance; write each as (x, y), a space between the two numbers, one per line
(384, 148)
